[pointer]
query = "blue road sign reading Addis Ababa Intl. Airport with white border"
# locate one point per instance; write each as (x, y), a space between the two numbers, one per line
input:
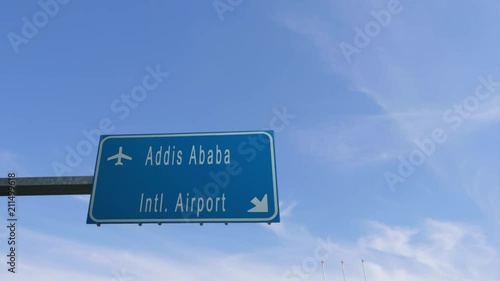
(174, 178)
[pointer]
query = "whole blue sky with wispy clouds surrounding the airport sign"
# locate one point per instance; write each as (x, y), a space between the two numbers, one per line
(418, 75)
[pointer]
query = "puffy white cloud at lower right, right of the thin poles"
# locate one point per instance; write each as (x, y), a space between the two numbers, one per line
(439, 249)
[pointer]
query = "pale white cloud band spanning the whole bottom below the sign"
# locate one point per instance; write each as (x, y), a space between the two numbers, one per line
(432, 251)
